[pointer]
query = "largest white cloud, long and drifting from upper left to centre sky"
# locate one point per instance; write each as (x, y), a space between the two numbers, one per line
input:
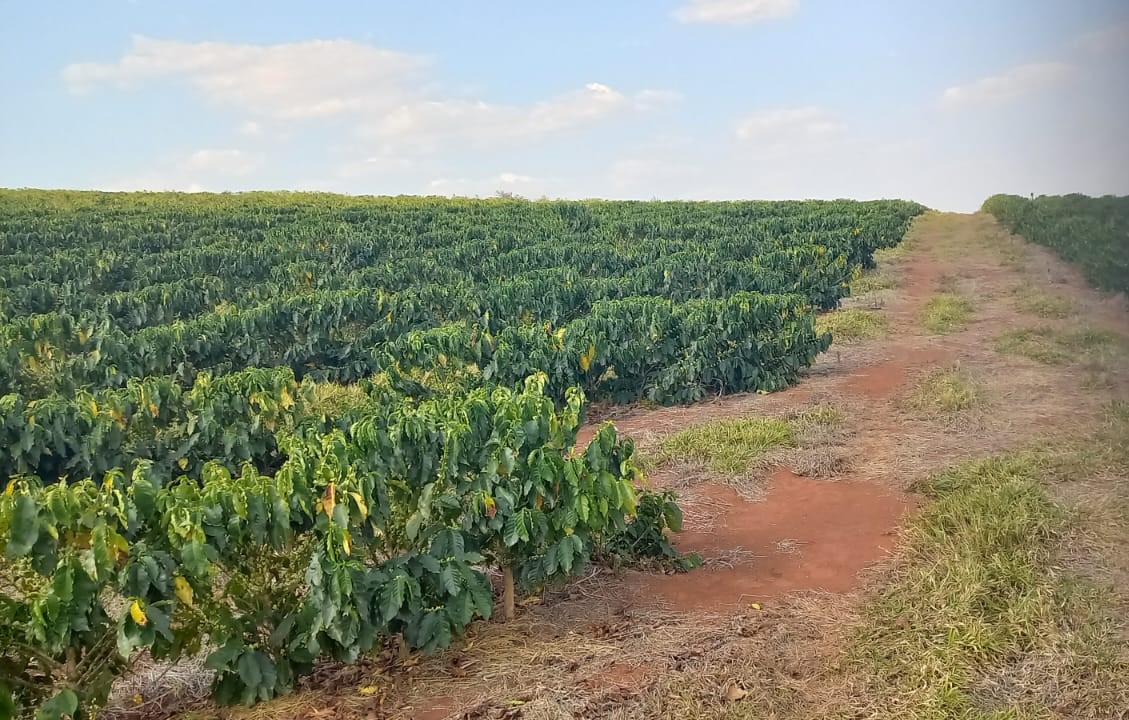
(379, 95)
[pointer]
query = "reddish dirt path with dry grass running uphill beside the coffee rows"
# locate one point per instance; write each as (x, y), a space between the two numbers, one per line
(789, 559)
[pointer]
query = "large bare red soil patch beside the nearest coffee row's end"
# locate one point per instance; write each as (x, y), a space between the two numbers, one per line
(806, 535)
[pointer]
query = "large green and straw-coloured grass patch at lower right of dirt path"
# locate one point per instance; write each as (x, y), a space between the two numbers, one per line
(983, 618)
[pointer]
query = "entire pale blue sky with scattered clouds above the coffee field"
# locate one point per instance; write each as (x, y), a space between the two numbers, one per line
(944, 103)
